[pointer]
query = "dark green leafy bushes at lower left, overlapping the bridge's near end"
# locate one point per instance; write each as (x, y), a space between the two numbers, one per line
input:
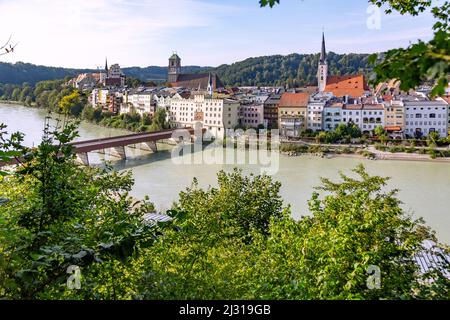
(60, 214)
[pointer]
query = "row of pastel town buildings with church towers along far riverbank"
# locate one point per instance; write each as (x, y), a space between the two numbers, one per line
(347, 99)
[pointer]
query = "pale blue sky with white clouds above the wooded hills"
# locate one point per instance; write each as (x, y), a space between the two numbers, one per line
(81, 33)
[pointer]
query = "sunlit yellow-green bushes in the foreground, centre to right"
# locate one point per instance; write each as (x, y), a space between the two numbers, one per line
(323, 256)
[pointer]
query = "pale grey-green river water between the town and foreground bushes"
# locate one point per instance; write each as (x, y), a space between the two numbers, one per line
(424, 186)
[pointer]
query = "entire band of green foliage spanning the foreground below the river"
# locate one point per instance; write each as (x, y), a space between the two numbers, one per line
(235, 241)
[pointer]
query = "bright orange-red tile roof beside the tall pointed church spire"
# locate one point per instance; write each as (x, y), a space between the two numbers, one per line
(351, 85)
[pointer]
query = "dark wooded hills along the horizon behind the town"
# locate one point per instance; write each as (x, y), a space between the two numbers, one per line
(294, 70)
